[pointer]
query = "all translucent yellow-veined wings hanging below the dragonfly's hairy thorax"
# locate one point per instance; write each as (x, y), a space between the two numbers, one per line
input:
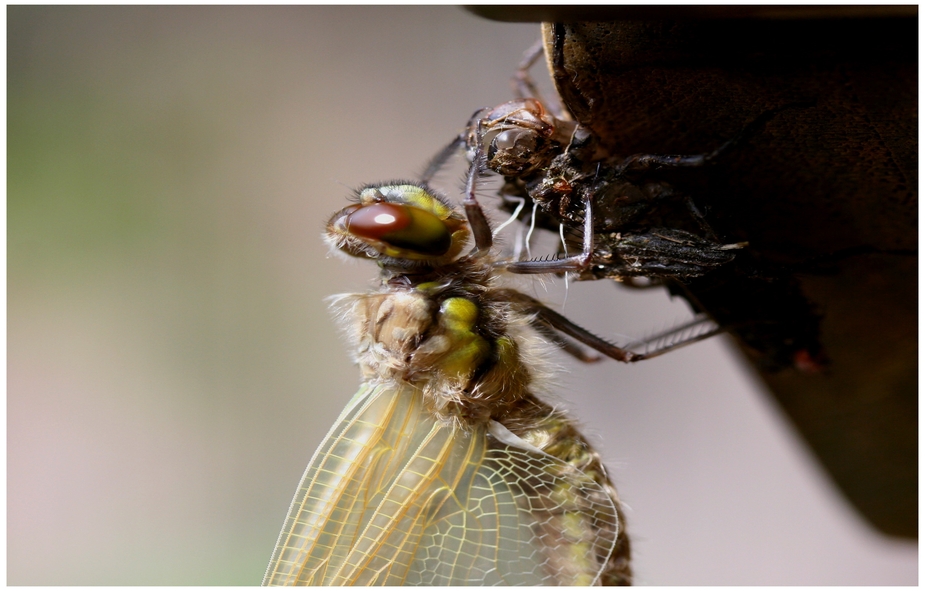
(395, 497)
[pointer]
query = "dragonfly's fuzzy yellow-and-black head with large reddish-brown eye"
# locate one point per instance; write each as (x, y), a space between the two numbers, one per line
(400, 225)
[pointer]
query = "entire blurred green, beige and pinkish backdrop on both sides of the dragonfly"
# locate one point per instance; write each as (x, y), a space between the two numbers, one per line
(172, 364)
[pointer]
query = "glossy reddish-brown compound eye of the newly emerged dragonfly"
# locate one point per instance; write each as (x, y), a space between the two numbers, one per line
(400, 226)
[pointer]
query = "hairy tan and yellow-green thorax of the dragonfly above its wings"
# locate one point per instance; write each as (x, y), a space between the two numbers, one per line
(459, 347)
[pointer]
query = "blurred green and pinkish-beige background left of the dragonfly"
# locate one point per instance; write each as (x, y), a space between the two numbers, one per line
(169, 173)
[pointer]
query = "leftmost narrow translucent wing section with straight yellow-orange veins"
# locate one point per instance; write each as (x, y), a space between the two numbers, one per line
(342, 484)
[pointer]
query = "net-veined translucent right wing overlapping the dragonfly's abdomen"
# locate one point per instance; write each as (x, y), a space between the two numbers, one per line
(522, 518)
